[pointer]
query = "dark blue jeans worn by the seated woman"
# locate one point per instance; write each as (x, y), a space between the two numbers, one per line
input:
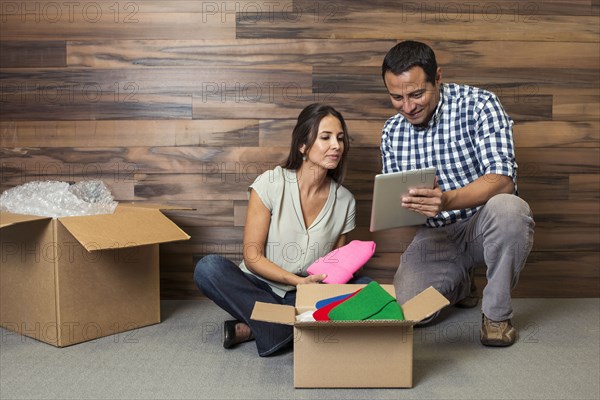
(235, 291)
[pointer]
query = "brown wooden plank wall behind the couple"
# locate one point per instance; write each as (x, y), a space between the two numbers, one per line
(186, 102)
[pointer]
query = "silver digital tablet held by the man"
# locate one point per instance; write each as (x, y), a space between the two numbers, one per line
(387, 211)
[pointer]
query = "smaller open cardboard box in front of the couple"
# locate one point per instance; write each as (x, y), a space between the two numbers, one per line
(346, 354)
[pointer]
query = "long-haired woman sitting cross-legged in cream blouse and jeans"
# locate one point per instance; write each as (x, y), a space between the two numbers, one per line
(296, 213)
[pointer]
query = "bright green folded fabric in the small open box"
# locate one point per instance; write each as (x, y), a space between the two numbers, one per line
(367, 303)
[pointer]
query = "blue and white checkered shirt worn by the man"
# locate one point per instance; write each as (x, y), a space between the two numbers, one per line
(468, 136)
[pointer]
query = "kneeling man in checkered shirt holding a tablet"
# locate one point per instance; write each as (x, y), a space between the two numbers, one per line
(474, 215)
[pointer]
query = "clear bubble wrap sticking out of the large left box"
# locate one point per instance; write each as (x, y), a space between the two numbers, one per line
(58, 199)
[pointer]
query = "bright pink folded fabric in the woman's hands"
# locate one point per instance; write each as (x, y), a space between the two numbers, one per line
(341, 264)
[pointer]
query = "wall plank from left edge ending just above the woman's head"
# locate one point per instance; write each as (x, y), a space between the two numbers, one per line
(223, 83)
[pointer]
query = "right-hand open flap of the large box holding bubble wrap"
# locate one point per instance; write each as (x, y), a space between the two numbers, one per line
(126, 227)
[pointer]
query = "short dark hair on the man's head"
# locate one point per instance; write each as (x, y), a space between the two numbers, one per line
(408, 54)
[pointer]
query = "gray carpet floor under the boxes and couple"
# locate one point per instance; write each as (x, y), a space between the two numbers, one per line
(557, 357)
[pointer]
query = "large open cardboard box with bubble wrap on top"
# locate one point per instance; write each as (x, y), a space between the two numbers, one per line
(72, 279)
